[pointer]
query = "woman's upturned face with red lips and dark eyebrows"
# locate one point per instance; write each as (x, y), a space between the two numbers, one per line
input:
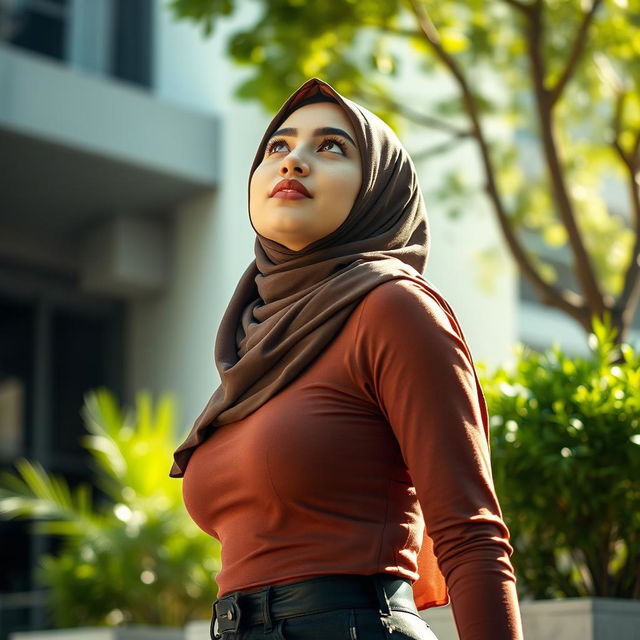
(315, 146)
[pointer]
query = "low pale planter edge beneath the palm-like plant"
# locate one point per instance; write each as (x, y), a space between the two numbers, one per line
(126, 632)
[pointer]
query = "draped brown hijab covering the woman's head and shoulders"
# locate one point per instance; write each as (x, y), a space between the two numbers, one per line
(288, 305)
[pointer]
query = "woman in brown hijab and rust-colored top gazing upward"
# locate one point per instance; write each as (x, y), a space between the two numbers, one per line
(350, 419)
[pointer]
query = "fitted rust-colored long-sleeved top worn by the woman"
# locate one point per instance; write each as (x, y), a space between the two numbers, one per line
(334, 473)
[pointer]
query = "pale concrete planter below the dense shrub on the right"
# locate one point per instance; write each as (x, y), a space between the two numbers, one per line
(569, 619)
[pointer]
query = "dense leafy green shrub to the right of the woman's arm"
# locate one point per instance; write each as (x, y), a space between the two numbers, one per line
(565, 440)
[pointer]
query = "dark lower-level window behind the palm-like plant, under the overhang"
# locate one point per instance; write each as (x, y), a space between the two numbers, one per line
(55, 345)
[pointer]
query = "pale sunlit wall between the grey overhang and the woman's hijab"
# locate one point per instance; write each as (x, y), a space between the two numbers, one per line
(171, 337)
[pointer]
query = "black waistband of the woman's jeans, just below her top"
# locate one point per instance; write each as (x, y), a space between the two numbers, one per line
(382, 591)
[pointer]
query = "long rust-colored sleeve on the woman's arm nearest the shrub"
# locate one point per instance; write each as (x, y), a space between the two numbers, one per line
(417, 367)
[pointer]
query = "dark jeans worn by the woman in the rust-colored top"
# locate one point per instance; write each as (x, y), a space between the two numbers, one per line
(390, 614)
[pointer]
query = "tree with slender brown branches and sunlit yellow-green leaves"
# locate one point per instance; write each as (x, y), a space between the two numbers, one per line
(571, 71)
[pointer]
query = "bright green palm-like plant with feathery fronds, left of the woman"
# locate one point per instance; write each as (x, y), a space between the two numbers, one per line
(138, 558)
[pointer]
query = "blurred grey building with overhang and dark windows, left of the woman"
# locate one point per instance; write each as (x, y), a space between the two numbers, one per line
(115, 259)
